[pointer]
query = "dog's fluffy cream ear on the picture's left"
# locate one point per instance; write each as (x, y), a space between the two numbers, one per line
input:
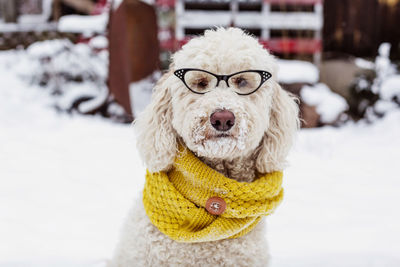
(156, 138)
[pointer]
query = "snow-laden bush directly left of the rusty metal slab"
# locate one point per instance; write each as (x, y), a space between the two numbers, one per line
(69, 71)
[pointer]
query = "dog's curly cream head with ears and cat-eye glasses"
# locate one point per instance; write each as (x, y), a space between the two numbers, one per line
(218, 115)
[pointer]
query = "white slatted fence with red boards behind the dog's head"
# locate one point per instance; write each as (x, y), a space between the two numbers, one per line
(265, 19)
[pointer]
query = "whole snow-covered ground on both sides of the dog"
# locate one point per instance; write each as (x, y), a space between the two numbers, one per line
(66, 183)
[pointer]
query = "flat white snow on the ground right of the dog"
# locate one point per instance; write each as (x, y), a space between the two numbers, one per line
(341, 198)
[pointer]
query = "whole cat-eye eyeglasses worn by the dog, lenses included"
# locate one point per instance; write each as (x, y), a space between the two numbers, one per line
(243, 82)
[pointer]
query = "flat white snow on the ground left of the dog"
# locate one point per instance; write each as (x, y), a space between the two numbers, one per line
(61, 177)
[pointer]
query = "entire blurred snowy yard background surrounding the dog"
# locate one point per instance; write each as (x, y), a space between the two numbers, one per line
(75, 73)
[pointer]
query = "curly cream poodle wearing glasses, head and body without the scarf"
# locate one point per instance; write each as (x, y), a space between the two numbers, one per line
(241, 125)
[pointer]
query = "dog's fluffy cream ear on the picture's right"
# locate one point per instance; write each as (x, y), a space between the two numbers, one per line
(280, 134)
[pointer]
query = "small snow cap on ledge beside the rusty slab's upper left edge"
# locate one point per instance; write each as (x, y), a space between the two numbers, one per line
(83, 24)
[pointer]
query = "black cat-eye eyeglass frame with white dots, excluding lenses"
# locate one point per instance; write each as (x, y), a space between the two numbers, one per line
(265, 76)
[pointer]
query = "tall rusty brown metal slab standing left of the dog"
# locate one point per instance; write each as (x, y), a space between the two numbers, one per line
(134, 49)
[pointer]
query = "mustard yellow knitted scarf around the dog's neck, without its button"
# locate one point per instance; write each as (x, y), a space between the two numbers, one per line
(175, 201)
